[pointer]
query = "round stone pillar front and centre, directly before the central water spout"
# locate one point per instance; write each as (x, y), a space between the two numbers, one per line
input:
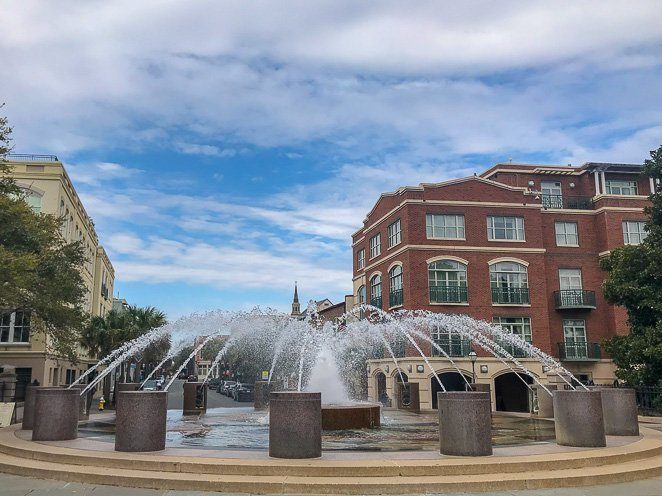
(295, 424)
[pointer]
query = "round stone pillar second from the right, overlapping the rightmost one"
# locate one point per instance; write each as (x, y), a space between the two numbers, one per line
(578, 418)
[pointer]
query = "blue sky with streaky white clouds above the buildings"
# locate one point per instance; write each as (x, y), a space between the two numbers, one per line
(226, 149)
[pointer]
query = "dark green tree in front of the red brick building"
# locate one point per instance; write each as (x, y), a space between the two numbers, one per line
(635, 282)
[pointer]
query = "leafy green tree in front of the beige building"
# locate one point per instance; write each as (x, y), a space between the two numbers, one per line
(39, 272)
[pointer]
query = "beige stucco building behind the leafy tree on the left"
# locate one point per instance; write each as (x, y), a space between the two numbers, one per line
(50, 191)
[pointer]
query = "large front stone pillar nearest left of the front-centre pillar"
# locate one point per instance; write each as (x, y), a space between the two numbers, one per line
(140, 423)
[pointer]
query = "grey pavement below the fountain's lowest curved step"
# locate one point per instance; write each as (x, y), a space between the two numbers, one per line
(12, 485)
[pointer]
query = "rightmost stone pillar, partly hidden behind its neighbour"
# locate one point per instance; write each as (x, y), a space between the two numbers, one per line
(619, 408)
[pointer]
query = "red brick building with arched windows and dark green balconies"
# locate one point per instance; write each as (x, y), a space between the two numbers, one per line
(519, 245)
